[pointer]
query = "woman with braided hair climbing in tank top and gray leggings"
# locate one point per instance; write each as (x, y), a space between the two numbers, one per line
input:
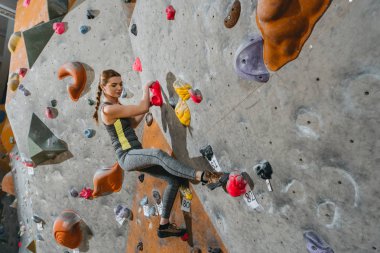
(120, 121)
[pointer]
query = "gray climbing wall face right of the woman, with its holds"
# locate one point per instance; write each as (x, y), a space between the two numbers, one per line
(315, 120)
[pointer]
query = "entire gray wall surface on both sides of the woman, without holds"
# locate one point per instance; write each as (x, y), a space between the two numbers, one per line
(316, 121)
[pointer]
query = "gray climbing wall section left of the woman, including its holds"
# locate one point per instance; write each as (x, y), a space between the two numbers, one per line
(47, 121)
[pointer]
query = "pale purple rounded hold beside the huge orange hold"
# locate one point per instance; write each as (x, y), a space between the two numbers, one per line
(248, 62)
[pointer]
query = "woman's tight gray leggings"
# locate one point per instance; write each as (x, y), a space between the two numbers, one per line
(159, 164)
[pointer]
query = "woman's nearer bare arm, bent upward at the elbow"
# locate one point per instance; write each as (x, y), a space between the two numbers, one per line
(124, 111)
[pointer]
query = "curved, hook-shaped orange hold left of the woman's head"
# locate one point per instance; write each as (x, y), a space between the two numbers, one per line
(78, 73)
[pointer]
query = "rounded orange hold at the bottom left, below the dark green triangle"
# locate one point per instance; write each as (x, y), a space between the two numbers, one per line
(67, 231)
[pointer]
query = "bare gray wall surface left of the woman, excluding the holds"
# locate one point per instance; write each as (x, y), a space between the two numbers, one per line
(106, 45)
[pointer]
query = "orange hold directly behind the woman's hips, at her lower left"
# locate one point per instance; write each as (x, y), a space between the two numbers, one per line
(108, 180)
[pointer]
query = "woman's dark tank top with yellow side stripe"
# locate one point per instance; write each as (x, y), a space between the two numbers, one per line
(122, 134)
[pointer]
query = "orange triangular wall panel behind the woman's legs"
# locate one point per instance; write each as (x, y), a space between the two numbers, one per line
(201, 231)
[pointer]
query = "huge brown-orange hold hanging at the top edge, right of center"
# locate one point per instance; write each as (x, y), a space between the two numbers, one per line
(285, 26)
